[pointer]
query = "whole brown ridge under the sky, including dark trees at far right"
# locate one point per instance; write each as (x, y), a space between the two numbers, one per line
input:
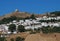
(19, 14)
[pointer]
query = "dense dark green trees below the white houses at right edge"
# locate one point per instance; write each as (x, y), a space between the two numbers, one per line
(50, 29)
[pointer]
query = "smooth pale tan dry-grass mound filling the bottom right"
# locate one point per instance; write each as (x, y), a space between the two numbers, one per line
(43, 37)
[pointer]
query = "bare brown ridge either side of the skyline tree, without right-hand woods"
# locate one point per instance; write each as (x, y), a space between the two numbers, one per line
(20, 14)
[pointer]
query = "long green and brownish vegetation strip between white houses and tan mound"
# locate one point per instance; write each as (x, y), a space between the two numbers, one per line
(46, 30)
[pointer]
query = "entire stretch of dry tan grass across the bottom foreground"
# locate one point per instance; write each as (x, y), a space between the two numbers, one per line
(36, 37)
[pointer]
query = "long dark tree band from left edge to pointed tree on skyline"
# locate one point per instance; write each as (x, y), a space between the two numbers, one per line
(10, 19)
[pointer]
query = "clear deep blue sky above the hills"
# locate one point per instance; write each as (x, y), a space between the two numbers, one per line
(31, 6)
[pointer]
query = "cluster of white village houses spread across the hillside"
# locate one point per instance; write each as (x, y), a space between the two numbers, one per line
(31, 23)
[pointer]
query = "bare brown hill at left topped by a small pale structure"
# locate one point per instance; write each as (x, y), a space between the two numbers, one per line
(16, 14)
